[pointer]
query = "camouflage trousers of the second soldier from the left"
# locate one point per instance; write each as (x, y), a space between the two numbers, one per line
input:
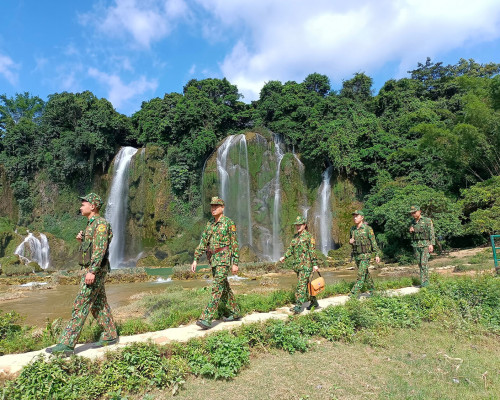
(222, 295)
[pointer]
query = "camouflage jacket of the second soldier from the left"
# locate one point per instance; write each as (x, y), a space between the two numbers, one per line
(216, 235)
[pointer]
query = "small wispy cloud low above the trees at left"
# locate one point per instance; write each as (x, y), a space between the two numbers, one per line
(118, 92)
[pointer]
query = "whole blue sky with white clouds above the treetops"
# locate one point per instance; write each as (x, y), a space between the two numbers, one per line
(129, 51)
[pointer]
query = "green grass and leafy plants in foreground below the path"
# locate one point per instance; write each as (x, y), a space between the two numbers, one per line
(420, 339)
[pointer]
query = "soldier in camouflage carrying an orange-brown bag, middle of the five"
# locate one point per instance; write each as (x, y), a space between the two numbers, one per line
(302, 253)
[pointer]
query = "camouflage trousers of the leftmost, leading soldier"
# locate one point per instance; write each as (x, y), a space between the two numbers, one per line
(93, 298)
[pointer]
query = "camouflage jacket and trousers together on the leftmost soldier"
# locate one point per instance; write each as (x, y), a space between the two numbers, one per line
(94, 258)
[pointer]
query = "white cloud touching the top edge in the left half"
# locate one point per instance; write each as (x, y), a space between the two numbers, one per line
(146, 21)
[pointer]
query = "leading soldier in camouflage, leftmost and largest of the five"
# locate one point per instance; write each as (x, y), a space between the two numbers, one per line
(92, 296)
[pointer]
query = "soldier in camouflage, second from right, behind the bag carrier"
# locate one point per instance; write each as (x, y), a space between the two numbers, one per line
(363, 245)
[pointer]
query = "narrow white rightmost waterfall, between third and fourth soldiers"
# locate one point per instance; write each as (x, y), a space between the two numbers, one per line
(325, 213)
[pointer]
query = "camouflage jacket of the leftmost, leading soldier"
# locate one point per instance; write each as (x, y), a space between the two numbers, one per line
(95, 244)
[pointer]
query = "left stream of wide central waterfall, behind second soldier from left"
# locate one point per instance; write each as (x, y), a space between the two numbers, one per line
(234, 178)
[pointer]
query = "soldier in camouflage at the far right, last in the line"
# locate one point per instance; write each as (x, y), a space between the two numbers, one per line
(423, 240)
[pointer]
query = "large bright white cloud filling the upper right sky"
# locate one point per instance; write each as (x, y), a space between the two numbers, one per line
(288, 39)
